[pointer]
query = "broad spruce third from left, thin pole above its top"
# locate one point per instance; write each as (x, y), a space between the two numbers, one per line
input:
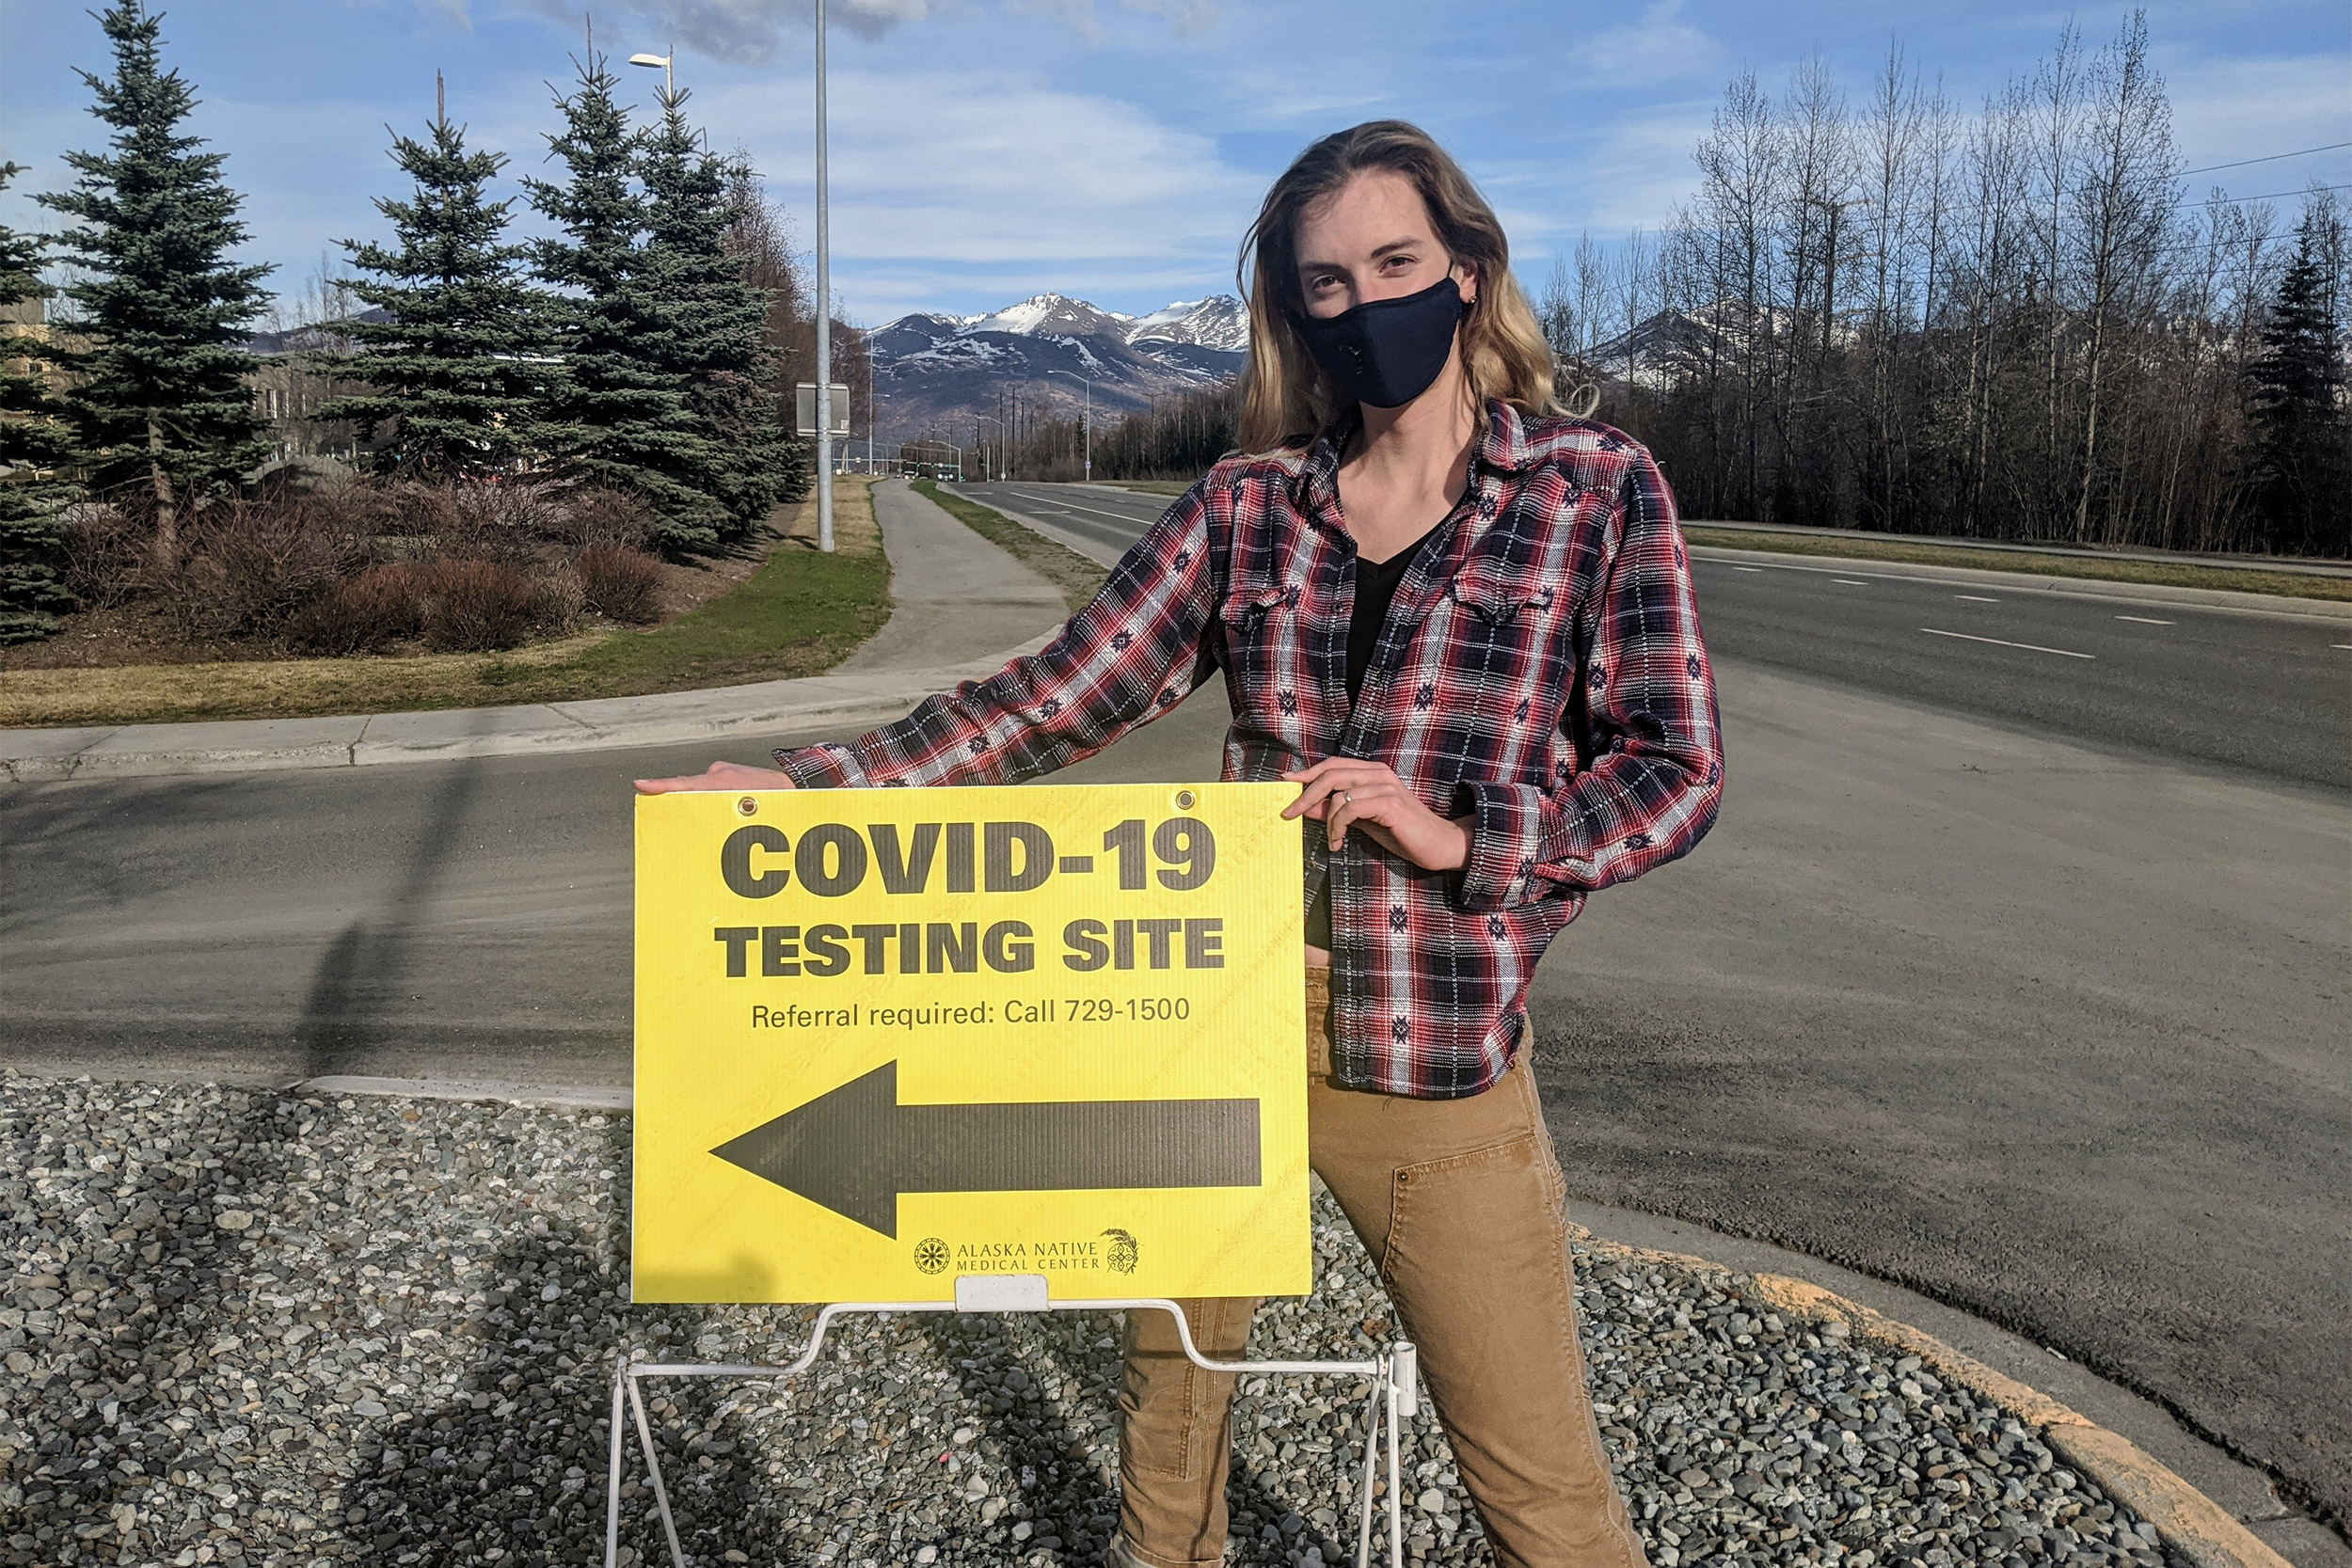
(453, 375)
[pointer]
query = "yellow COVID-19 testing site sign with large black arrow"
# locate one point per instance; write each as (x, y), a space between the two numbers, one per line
(890, 1038)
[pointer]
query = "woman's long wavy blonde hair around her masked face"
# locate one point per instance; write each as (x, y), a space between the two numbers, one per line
(1285, 394)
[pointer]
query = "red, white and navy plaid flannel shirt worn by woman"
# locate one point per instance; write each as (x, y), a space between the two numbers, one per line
(1542, 671)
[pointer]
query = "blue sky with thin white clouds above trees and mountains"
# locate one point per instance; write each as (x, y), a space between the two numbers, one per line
(1111, 149)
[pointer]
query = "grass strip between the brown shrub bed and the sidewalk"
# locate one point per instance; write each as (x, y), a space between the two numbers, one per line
(799, 615)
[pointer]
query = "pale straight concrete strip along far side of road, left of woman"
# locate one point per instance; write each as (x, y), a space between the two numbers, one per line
(267, 746)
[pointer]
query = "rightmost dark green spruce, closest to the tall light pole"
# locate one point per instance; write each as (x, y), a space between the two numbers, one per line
(714, 326)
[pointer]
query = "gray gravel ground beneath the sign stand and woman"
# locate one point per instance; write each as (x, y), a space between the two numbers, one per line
(262, 1329)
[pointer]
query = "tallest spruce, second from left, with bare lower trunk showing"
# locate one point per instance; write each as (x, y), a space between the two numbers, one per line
(159, 398)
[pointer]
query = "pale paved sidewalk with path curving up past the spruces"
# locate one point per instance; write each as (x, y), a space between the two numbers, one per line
(963, 608)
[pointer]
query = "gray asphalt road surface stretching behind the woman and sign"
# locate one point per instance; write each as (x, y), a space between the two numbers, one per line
(2047, 1028)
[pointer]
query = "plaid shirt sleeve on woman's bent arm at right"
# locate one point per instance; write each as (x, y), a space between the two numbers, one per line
(1648, 735)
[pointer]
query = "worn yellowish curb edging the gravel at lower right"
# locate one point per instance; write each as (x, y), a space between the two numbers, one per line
(2191, 1525)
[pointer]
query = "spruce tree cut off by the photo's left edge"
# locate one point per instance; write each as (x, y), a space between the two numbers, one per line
(34, 450)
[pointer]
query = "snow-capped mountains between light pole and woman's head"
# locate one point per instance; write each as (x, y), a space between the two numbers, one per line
(942, 373)
